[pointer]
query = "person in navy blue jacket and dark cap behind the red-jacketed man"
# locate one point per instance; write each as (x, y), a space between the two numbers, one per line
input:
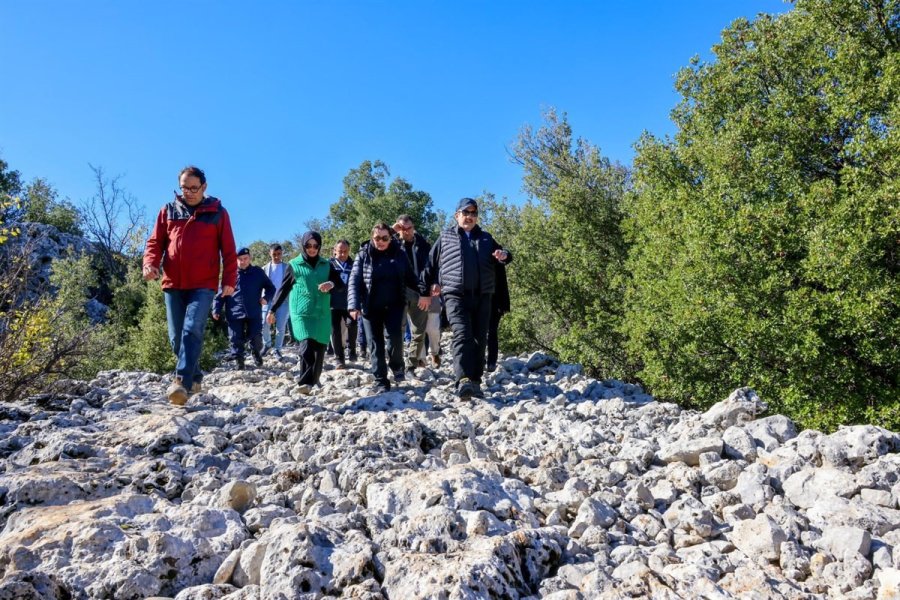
(243, 309)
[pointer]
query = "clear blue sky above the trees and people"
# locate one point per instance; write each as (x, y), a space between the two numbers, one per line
(276, 101)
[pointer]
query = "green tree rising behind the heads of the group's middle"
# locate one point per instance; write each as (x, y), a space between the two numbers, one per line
(368, 198)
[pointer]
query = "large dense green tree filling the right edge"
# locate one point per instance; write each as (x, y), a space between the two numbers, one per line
(765, 233)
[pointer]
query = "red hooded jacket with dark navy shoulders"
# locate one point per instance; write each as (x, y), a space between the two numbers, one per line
(188, 246)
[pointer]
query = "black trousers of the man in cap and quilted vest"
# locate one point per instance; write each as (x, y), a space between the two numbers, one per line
(469, 317)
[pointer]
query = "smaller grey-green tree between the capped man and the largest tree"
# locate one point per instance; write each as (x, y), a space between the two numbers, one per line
(567, 278)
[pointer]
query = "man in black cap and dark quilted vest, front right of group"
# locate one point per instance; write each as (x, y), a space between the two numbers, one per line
(461, 269)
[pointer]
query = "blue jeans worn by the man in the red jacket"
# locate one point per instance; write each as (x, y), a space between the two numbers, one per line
(186, 315)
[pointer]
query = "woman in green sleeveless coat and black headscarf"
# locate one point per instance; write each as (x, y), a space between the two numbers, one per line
(307, 282)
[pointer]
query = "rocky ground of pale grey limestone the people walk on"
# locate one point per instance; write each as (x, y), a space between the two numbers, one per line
(554, 486)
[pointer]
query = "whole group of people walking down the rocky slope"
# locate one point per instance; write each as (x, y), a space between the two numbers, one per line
(396, 282)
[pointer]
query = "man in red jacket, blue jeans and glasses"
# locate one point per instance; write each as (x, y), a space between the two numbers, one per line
(191, 239)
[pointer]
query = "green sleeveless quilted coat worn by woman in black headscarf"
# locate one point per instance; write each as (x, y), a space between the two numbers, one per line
(310, 308)
